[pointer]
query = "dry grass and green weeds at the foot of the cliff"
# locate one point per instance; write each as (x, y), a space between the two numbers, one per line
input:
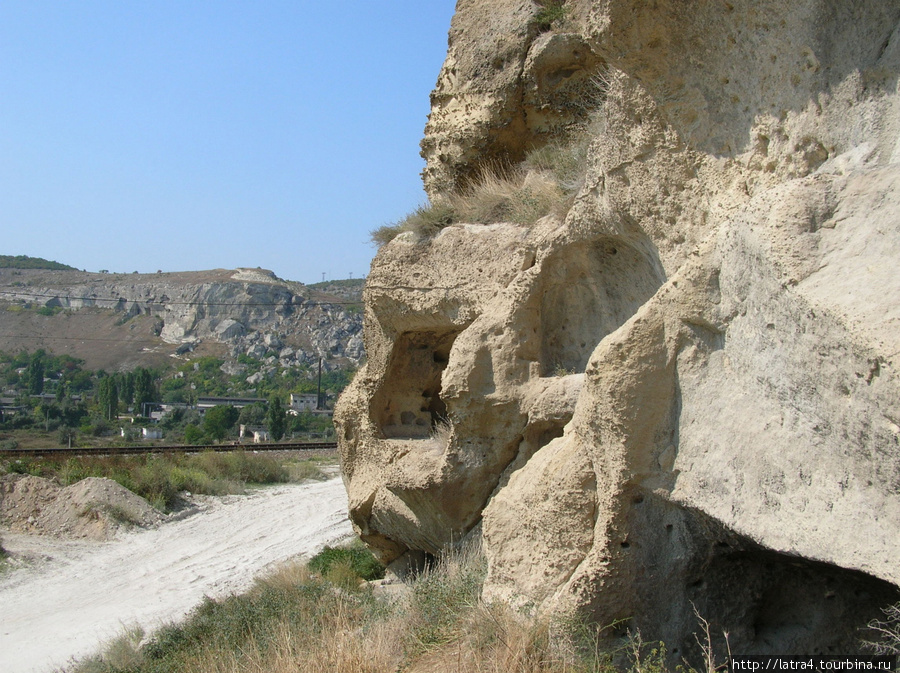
(322, 616)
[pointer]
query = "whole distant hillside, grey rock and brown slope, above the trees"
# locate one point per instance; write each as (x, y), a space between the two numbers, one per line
(126, 320)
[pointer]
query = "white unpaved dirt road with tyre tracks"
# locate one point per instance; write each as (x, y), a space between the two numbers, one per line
(82, 593)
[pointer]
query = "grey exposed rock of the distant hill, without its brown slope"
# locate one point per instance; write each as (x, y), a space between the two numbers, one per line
(250, 310)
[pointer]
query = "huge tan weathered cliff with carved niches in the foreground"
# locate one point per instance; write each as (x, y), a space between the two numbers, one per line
(683, 395)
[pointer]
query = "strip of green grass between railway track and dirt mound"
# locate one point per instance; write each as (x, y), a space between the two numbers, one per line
(159, 478)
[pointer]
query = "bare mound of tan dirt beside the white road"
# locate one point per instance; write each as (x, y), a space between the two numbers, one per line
(93, 508)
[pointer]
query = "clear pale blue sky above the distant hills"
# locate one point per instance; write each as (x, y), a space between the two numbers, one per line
(180, 135)
